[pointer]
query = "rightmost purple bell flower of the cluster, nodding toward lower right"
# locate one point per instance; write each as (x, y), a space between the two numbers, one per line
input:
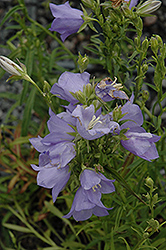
(139, 142)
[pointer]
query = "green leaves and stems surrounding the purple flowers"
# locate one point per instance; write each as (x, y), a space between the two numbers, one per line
(29, 218)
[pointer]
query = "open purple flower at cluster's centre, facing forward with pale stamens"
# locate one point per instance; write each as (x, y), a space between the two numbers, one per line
(91, 126)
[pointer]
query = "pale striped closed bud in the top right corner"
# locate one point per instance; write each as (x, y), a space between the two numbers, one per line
(148, 7)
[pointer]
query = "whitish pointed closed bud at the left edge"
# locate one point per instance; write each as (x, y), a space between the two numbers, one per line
(9, 66)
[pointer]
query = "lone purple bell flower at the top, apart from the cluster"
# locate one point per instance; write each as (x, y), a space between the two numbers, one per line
(67, 20)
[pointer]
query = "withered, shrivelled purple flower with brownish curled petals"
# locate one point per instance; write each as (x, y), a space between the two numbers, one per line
(108, 90)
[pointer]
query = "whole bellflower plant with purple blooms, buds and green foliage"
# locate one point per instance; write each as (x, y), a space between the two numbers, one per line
(89, 147)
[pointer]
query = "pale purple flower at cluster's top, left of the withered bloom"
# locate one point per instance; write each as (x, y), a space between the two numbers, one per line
(70, 82)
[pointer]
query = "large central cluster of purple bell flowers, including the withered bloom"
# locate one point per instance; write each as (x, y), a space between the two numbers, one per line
(85, 121)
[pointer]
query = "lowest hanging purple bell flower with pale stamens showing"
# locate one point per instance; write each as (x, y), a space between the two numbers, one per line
(87, 200)
